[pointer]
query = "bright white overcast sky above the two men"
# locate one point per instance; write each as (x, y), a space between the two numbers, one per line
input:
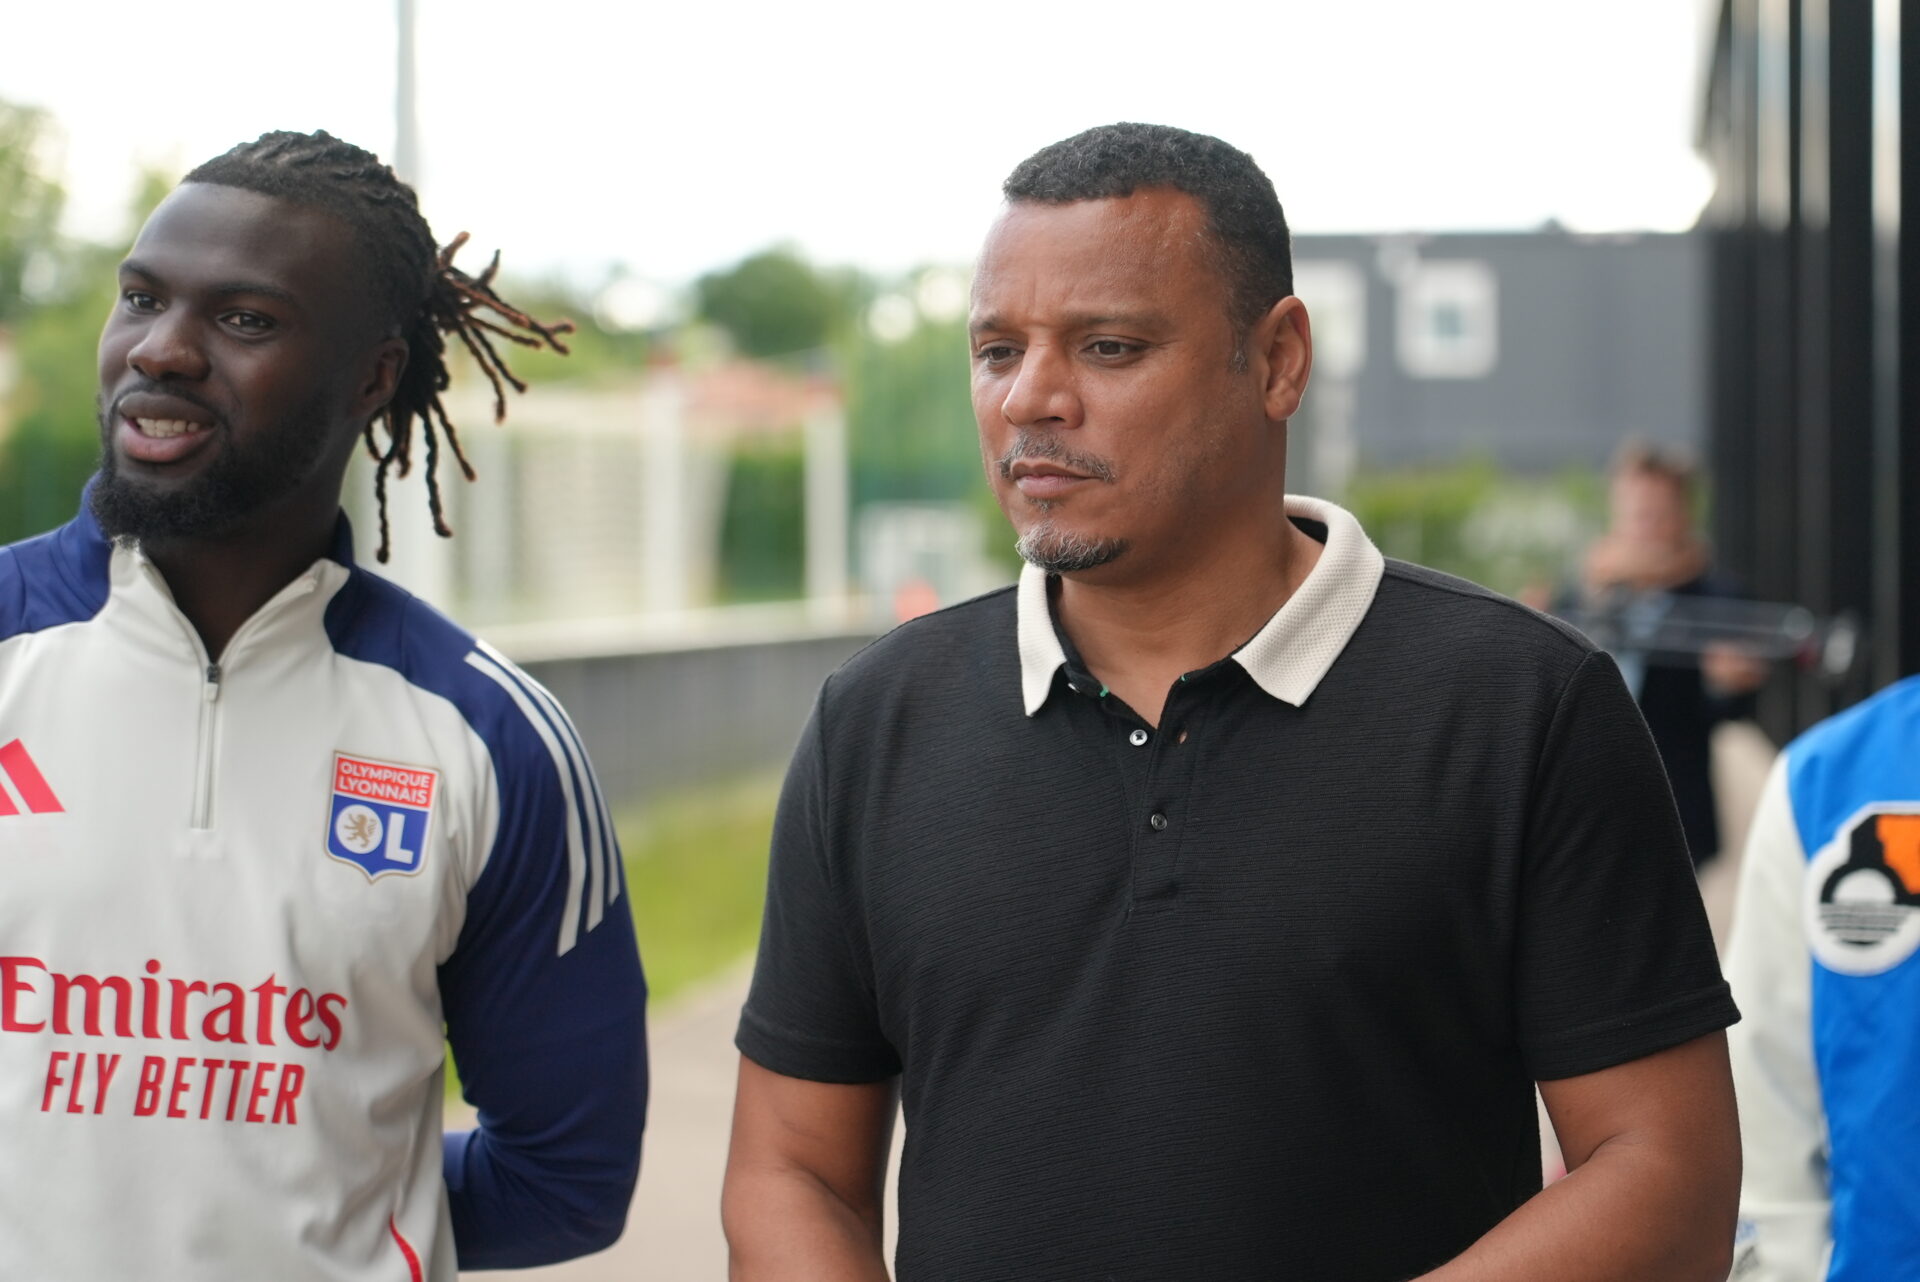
(669, 139)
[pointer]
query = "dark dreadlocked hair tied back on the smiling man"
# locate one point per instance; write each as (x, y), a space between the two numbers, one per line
(420, 291)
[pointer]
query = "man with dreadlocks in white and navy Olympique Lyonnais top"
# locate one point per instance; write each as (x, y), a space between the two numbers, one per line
(268, 824)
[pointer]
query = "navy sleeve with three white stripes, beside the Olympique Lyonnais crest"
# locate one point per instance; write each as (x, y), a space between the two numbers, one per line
(544, 1005)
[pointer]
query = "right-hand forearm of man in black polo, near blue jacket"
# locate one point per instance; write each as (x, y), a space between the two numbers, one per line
(1631, 1212)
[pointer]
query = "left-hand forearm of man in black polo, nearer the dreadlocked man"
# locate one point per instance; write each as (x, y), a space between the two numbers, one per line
(786, 1225)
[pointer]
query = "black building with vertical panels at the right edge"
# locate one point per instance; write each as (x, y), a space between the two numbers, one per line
(1813, 308)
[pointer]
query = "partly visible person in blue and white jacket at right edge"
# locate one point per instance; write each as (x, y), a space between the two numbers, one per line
(1825, 966)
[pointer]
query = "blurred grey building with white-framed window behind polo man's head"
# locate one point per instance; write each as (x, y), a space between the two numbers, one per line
(1537, 350)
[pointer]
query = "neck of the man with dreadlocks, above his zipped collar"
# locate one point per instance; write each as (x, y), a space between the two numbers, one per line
(222, 582)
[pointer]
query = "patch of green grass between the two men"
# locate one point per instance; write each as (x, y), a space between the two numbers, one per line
(696, 878)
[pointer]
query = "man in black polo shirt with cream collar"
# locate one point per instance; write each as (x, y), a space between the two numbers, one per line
(1216, 897)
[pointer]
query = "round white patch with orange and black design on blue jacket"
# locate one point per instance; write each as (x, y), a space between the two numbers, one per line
(1863, 891)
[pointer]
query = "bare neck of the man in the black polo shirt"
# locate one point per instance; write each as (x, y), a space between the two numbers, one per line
(1141, 632)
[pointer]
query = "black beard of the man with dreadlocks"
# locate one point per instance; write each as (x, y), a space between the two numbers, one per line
(233, 487)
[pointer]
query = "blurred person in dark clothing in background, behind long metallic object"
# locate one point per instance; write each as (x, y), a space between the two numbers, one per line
(1654, 554)
